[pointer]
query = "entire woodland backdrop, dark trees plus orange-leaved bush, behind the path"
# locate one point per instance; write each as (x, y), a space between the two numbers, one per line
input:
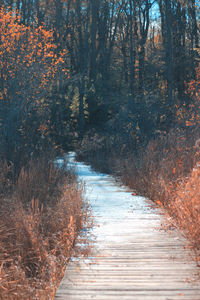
(73, 68)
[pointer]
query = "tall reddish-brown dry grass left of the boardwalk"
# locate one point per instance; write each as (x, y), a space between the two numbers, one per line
(38, 227)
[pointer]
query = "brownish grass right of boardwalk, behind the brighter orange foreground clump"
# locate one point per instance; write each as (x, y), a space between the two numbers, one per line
(155, 170)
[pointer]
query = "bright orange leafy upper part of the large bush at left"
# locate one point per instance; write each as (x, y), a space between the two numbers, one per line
(28, 60)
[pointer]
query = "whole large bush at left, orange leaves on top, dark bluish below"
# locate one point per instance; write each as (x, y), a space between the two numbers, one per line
(29, 67)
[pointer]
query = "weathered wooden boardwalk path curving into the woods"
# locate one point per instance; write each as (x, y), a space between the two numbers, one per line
(131, 258)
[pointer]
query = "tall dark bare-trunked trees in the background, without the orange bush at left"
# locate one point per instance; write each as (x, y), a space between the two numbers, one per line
(129, 62)
